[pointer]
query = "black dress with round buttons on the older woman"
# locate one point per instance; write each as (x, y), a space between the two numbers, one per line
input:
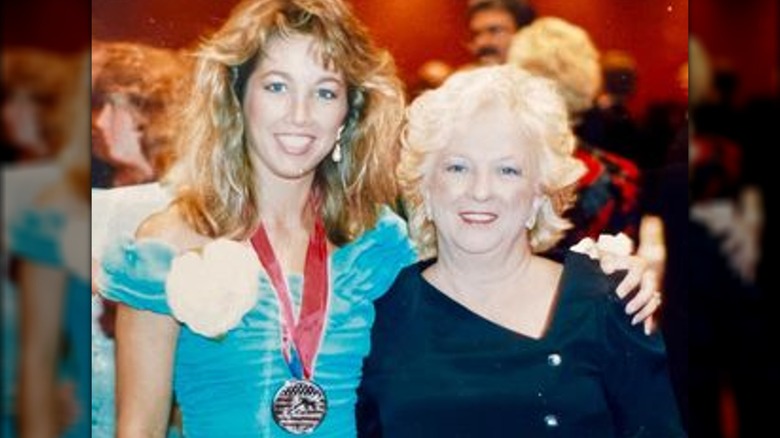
(437, 369)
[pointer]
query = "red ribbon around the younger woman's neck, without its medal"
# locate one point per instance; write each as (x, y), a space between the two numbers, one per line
(301, 340)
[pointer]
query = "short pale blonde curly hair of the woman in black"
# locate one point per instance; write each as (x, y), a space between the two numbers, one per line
(541, 117)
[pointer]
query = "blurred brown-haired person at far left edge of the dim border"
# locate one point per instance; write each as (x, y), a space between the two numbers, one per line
(35, 86)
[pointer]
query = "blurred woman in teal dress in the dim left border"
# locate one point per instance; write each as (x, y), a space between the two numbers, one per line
(50, 238)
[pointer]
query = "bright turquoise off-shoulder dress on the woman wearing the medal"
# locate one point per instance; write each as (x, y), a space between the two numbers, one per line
(225, 386)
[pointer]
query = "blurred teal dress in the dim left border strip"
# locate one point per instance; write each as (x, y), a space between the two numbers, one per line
(37, 236)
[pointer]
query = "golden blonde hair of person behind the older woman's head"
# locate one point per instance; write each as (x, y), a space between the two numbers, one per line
(558, 50)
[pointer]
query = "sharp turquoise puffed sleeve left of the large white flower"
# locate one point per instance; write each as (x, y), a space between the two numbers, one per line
(133, 272)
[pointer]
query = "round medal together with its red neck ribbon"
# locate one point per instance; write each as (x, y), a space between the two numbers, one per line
(299, 405)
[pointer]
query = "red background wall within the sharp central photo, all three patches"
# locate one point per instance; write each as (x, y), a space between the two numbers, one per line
(654, 32)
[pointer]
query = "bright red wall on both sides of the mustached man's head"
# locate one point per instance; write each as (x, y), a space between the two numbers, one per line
(654, 32)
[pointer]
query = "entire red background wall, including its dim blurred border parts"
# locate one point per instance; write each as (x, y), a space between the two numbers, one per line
(655, 32)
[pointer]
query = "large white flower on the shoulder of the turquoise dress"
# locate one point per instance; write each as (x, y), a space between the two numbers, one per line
(211, 291)
